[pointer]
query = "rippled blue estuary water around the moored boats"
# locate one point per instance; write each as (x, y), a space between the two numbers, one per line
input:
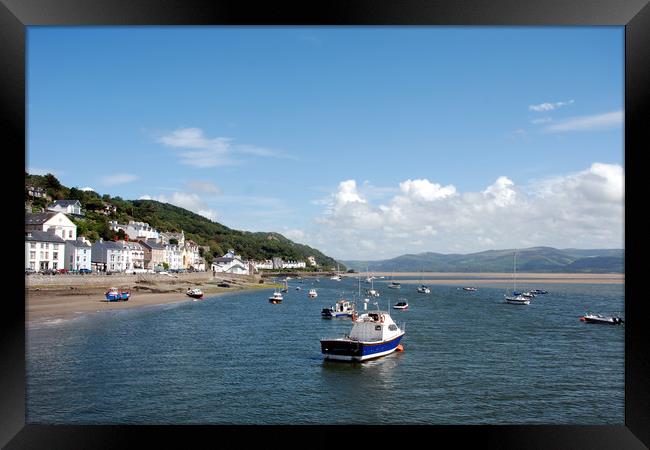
(469, 358)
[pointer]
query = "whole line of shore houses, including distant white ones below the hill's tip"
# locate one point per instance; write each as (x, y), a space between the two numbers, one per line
(51, 242)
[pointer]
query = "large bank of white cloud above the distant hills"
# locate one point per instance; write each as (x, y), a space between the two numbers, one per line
(582, 209)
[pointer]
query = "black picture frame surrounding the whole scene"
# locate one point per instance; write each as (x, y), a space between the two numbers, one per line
(634, 15)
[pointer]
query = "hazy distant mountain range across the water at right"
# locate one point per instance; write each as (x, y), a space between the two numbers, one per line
(535, 259)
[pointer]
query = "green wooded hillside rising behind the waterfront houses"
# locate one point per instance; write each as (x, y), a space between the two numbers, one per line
(166, 217)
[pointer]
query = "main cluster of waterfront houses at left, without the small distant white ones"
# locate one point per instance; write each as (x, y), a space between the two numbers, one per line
(51, 242)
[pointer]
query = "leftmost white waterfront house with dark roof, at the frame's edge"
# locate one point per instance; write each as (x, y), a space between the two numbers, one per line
(44, 250)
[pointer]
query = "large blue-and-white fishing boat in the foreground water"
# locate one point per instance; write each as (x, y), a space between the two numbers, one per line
(374, 334)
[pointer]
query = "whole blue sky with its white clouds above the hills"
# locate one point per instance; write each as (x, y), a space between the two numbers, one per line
(265, 128)
